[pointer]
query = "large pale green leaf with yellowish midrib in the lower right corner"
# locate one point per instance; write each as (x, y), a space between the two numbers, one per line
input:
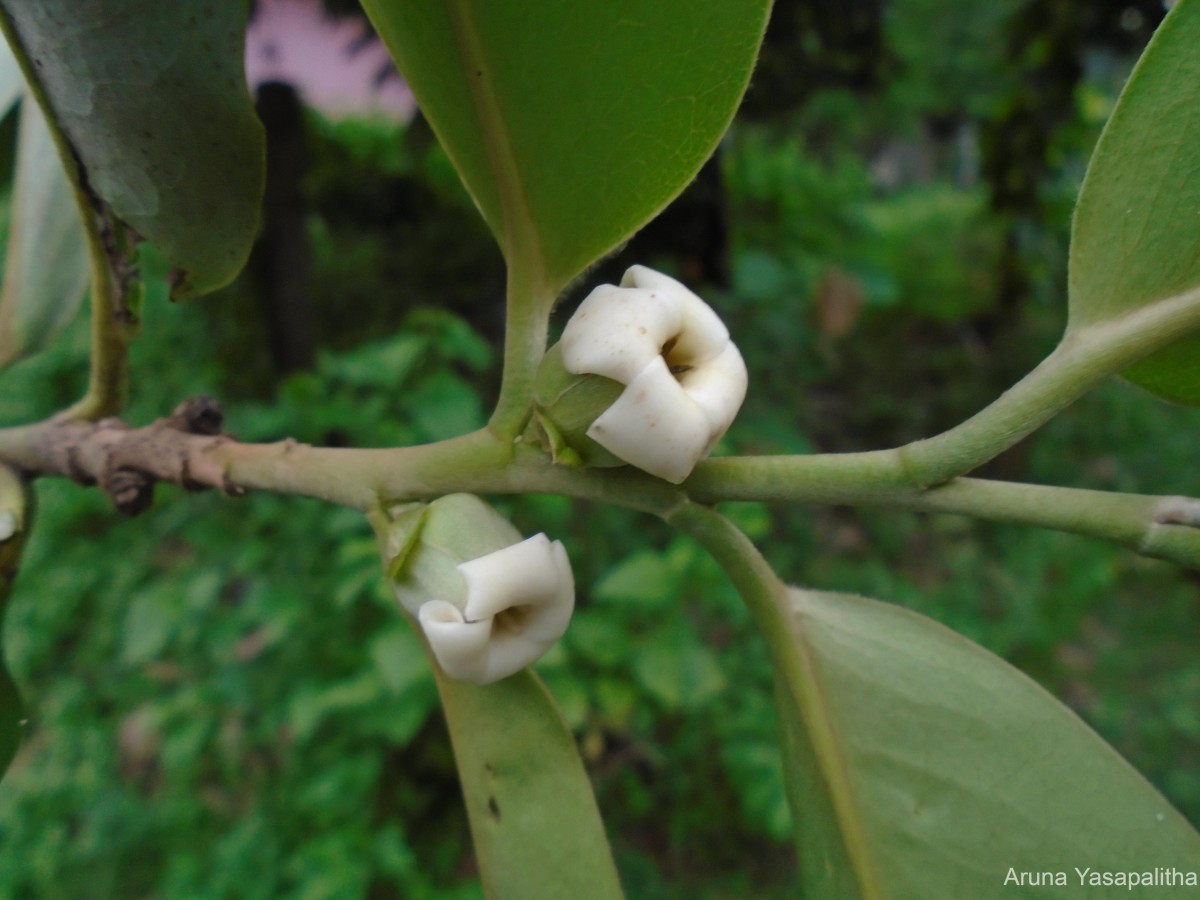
(922, 766)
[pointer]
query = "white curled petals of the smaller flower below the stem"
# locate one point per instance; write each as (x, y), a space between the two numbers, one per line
(519, 603)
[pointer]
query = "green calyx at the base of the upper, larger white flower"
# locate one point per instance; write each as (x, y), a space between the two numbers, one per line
(566, 405)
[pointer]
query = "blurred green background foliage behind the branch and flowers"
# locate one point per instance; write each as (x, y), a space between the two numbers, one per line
(224, 700)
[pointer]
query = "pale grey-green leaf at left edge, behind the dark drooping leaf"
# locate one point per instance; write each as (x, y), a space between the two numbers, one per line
(46, 263)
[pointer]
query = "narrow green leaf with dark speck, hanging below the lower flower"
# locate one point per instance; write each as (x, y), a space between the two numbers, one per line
(533, 817)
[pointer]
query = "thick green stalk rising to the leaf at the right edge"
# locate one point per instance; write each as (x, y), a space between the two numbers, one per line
(1085, 358)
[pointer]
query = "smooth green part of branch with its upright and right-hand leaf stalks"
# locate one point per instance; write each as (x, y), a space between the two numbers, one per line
(491, 463)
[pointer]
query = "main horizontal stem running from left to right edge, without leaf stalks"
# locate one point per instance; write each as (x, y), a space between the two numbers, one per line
(481, 463)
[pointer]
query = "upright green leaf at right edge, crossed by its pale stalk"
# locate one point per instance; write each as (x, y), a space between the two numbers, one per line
(1137, 231)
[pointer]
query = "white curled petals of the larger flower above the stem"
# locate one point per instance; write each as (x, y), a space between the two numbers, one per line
(686, 381)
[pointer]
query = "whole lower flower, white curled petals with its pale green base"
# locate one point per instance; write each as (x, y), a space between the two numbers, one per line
(489, 603)
